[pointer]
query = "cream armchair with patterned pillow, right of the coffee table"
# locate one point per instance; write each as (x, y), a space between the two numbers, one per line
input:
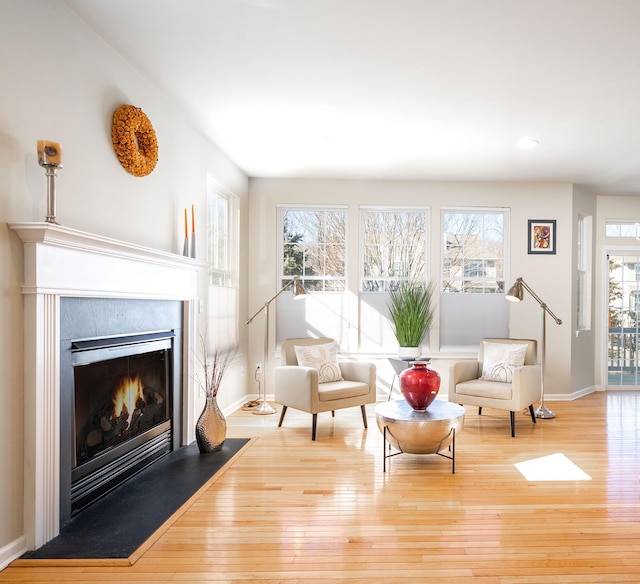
(505, 376)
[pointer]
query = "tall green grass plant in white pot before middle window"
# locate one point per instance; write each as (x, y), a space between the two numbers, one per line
(411, 313)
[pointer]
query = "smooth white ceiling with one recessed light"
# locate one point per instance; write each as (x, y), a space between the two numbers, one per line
(398, 89)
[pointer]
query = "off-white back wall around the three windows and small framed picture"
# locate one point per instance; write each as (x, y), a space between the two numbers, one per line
(551, 277)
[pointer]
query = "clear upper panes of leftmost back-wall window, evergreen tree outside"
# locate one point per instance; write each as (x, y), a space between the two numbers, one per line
(314, 247)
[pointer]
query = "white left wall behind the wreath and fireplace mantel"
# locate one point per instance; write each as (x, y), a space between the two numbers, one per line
(61, 82)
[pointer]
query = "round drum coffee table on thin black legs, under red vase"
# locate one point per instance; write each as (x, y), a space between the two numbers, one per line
(413, 432)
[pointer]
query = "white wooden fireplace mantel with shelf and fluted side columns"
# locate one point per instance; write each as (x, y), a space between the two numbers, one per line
(59, 261)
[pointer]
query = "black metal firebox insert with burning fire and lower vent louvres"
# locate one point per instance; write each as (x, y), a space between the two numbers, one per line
(122, 410)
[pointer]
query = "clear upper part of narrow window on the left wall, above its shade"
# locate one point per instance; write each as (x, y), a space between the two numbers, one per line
(220, 206)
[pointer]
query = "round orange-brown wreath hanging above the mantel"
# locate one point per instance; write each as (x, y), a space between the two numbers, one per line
(134, 140)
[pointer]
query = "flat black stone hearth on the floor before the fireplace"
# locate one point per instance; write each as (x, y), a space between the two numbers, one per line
(121, 521)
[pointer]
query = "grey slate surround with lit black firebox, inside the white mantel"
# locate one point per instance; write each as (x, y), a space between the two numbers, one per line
(120, 389)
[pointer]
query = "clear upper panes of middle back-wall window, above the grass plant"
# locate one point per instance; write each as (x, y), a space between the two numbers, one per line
(394, 246)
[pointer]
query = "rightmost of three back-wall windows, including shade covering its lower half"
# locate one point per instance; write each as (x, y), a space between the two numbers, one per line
(472, 305)
